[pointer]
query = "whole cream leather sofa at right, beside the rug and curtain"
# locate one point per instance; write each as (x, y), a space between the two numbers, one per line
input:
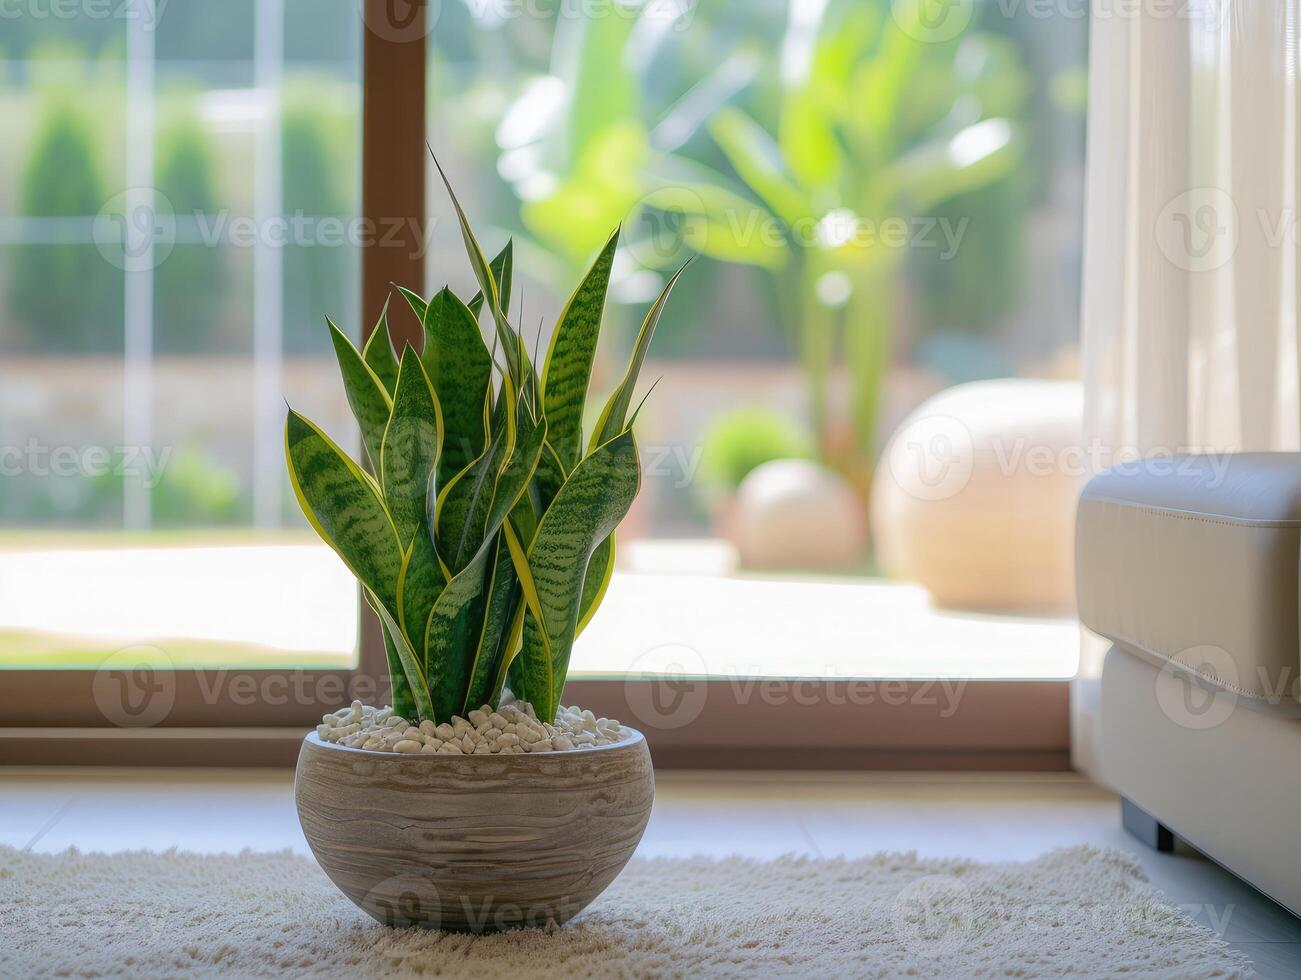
(1190, 568)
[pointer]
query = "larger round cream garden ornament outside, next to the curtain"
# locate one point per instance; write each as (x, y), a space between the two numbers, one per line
(975, 495)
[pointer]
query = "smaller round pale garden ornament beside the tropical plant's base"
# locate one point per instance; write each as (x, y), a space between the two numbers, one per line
(798, 515)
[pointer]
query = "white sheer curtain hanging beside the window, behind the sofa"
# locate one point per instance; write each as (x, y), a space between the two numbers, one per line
(1190, 329)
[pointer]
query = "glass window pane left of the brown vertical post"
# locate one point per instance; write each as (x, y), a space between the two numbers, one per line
(178, 213)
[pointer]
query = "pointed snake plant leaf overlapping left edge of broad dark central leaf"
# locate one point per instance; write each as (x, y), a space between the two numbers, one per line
(412, 446)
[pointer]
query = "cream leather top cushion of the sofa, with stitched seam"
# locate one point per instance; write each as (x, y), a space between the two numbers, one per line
(1191, 562)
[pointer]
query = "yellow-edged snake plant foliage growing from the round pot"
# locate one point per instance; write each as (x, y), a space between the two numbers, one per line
(485, 542)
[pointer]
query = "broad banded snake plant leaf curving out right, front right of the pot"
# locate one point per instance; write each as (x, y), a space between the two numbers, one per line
(589, 508)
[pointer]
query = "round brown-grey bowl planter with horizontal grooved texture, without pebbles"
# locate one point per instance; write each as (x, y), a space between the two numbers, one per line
(474, 843)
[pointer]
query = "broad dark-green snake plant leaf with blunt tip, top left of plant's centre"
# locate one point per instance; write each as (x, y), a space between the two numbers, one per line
(460, 368)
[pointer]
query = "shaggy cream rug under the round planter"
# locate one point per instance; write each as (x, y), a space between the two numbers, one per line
(1078, 913)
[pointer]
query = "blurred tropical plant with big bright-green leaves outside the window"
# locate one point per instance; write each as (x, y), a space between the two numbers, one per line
(828, 174)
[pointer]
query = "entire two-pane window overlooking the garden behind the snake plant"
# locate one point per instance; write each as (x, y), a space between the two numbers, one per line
(881, 201)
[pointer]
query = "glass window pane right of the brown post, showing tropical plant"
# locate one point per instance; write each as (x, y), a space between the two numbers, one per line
(884, 202)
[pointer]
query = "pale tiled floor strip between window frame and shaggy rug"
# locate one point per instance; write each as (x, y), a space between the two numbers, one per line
(984, 817)
